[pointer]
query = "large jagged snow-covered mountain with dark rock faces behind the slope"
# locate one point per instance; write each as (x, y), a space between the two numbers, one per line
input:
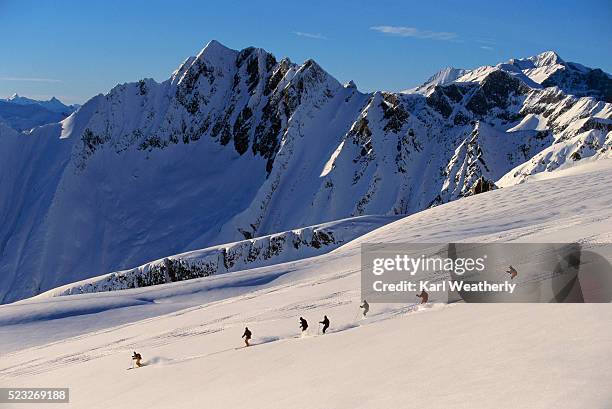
(237, 145)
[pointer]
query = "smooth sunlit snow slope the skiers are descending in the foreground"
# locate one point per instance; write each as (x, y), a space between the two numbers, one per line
(461, 355)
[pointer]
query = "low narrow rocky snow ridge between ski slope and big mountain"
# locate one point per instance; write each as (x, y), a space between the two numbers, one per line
(246, 254)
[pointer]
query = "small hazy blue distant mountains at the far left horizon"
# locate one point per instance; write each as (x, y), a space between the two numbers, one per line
(23, 113)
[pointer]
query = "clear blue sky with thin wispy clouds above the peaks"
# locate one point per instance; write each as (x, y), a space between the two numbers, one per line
(77, 49)
